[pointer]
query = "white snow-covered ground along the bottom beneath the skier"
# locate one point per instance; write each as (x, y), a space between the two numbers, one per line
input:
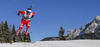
(71, 43)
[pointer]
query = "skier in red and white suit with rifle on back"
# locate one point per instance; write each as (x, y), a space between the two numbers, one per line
(27, 15)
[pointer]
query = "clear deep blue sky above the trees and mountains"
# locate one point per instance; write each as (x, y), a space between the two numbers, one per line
(50, 15)
